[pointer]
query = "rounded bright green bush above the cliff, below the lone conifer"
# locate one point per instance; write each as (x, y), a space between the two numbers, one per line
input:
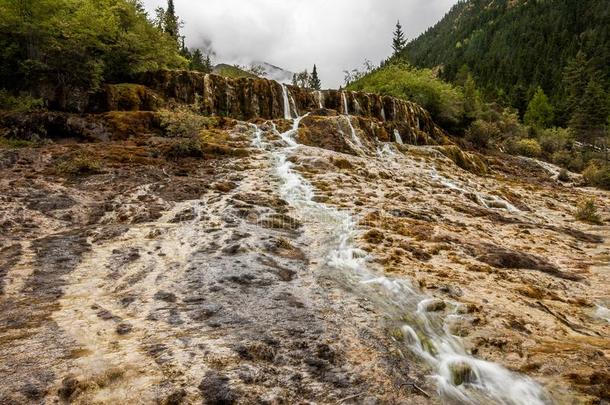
(444, 102)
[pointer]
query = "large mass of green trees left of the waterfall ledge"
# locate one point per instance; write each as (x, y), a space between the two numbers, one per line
(63, 47)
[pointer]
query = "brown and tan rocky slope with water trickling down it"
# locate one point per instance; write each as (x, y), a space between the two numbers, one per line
(160, 254)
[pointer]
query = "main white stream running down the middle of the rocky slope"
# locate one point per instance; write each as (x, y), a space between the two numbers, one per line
(459, 376)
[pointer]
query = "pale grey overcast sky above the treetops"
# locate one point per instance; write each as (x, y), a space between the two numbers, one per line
(336, 35)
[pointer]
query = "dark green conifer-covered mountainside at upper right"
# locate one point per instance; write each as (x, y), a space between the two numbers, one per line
(514, 46)
